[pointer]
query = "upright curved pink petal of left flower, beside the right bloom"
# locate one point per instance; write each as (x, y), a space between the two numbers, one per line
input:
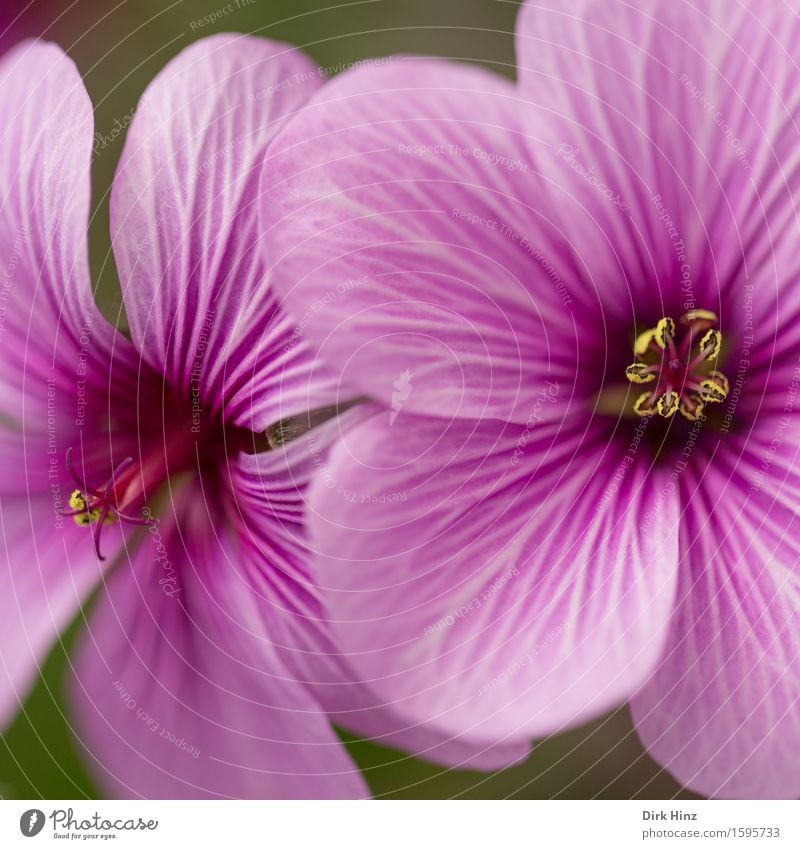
(185, 225)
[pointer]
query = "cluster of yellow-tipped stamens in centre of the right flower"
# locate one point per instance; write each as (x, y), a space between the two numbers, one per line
(680, 360)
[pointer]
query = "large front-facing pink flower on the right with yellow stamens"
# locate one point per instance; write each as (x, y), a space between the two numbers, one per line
(529, 538)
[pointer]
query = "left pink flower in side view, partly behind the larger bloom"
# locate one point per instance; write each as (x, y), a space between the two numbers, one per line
(142, 465)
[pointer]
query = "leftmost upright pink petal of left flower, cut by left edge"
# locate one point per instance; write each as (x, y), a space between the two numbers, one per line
(57, 350)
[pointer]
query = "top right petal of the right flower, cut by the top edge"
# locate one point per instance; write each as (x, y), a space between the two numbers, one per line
(671, 130)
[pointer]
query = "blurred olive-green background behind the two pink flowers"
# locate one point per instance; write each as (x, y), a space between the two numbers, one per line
(119, 47)
